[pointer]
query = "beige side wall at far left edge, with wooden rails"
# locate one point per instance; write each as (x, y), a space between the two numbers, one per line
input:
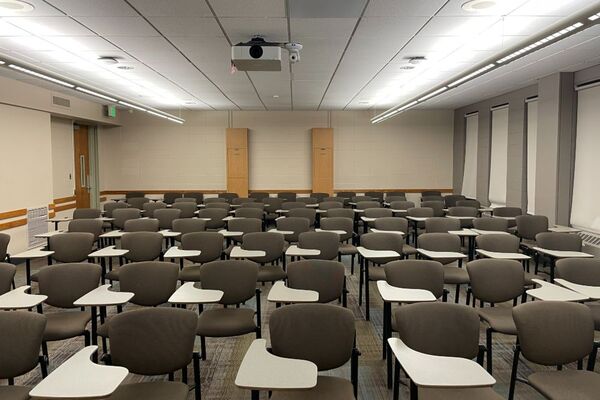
(25, 165)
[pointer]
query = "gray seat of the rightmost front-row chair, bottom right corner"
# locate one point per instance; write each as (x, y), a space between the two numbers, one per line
(566, 384)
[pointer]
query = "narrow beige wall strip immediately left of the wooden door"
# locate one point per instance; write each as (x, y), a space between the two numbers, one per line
(62, 157)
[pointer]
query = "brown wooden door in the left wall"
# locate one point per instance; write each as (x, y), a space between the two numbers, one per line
(82, 166)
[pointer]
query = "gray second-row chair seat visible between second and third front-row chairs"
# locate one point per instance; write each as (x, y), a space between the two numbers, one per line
(226, 322)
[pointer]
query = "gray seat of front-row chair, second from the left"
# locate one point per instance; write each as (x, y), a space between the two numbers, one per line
(151, 391)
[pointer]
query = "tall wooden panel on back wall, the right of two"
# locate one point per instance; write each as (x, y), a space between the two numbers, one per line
(322, 160)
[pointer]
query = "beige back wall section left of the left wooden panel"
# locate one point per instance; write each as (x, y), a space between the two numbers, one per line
(151, 153)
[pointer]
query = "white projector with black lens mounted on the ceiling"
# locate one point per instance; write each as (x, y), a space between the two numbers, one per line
(260, 55)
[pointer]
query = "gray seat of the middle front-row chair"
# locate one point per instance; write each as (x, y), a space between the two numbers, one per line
(328, 388)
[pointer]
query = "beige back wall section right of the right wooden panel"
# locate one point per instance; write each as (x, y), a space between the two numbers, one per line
(412, 150)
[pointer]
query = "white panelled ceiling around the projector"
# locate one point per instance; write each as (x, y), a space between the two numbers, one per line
(353, 57)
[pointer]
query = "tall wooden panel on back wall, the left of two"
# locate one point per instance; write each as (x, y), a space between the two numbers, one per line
(237, 161)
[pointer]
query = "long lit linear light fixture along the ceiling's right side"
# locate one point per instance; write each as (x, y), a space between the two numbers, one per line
(577, 24)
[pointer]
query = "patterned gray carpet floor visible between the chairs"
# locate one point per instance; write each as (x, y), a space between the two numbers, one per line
(224, 355)
